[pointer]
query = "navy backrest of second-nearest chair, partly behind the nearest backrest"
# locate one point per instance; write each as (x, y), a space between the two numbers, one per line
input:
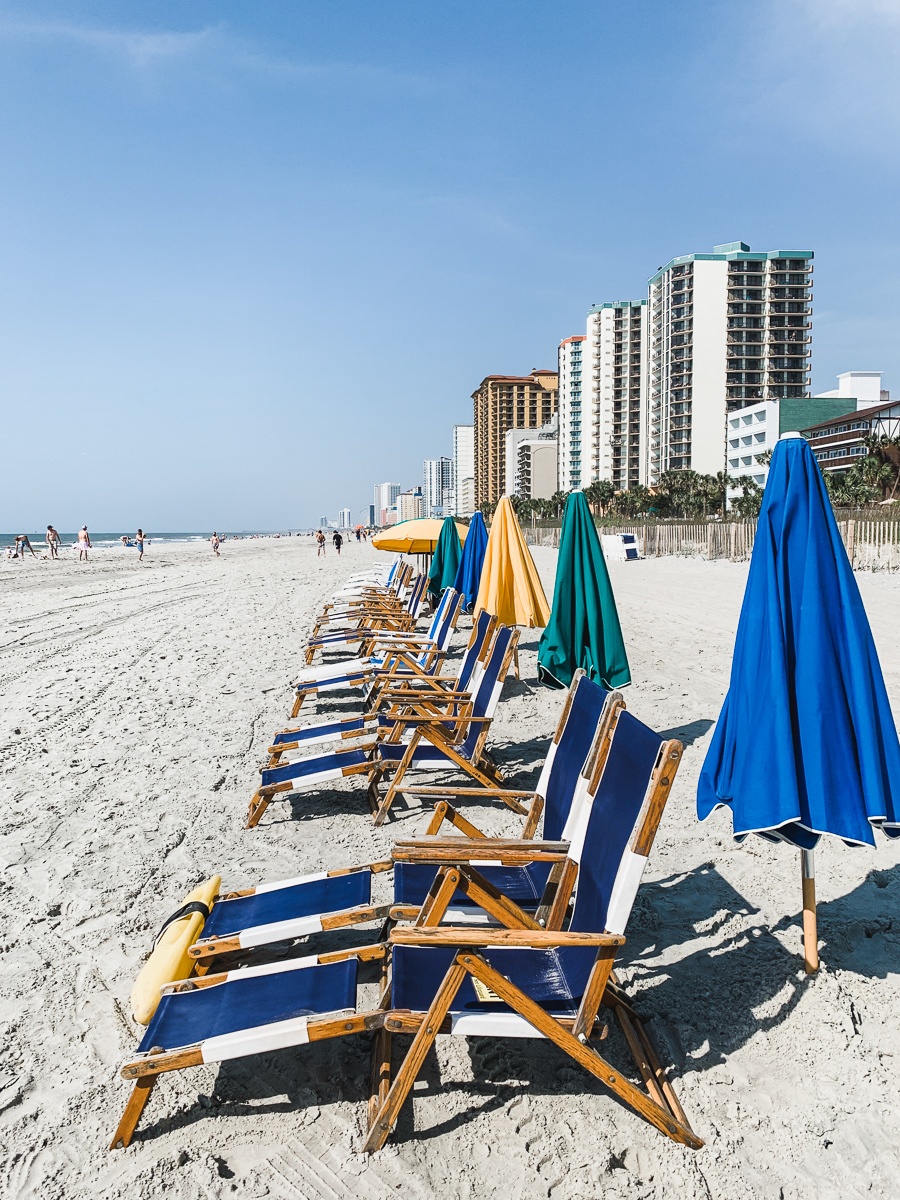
(569, 751)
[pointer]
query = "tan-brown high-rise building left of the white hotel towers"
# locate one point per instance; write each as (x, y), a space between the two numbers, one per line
(501, 404)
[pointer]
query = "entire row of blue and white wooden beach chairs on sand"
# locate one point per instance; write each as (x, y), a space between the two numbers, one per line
(495, 938)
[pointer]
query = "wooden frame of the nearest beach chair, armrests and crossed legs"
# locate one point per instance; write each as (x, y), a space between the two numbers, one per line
(659, 1105)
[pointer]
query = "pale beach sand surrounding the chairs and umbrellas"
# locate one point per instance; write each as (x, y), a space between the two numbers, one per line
(137, 706)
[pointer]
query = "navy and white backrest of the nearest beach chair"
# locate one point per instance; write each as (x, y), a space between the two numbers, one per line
(613, 844)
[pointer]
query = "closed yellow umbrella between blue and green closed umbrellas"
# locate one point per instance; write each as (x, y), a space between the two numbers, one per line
(511, 587)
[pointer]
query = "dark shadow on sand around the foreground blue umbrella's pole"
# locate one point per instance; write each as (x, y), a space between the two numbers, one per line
(713, 979)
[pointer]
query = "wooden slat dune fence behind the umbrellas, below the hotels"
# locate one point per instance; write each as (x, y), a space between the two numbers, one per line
(872, 545)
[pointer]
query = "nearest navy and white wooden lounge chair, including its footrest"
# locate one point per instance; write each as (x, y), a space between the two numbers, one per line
(513, 981)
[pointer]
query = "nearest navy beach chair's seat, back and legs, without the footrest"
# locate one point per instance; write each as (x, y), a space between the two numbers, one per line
(532, 977)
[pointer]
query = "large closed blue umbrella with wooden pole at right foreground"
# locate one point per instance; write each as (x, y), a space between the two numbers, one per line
(806, 743)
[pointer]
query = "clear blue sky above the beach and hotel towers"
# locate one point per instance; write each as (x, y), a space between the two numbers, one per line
(256, 257)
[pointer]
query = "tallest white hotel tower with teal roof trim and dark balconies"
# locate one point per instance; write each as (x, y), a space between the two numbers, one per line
(727, 331)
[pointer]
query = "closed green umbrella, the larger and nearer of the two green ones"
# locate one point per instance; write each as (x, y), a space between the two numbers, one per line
(584, 629)
